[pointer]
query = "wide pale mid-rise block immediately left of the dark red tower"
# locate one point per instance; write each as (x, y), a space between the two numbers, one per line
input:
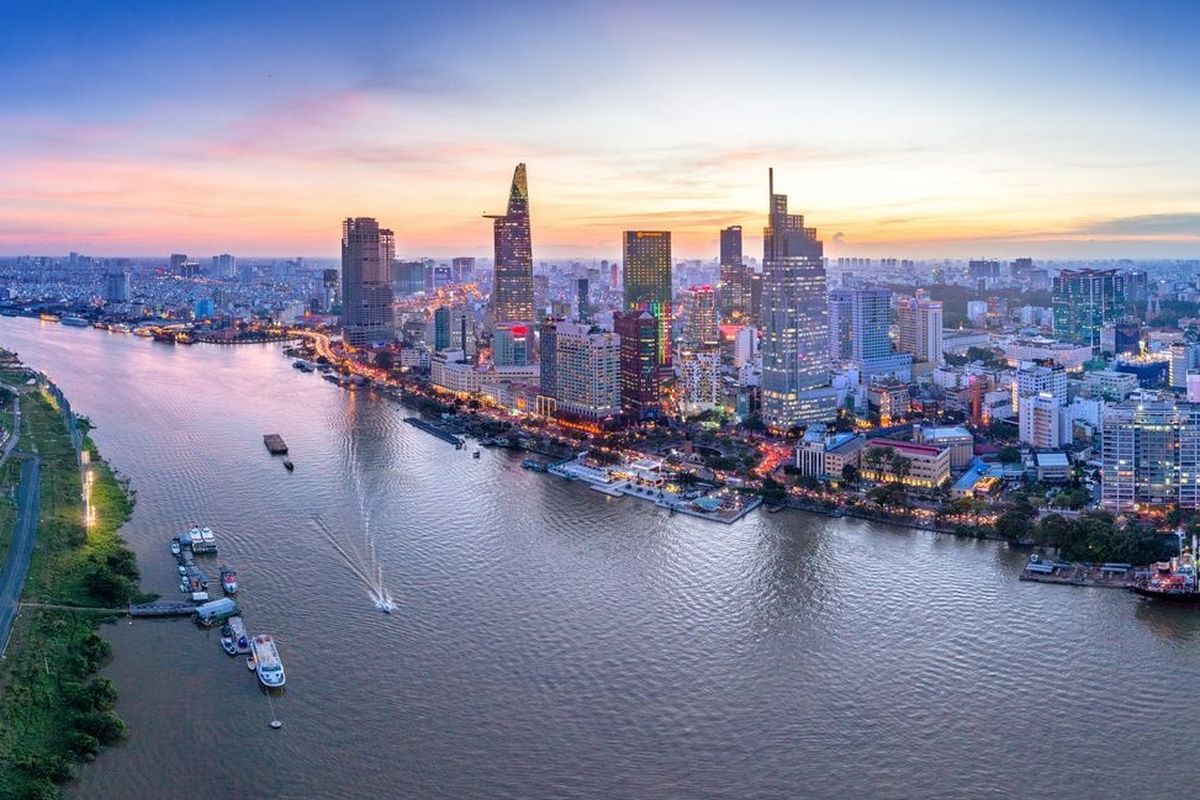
(587, 381)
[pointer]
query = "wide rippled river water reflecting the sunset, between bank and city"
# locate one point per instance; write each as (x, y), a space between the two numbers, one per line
(551, 642)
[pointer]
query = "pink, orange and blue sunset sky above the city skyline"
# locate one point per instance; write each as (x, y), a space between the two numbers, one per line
(909, 130)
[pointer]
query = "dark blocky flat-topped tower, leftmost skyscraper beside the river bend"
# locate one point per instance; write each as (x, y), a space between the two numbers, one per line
(368, 252)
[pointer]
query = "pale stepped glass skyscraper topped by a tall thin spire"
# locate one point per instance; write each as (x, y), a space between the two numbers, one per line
(795, 322)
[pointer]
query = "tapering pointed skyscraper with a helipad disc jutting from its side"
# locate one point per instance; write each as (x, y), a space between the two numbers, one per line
(513, 285)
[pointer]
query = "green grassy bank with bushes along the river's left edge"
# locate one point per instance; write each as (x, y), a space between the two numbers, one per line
(55, 714)
